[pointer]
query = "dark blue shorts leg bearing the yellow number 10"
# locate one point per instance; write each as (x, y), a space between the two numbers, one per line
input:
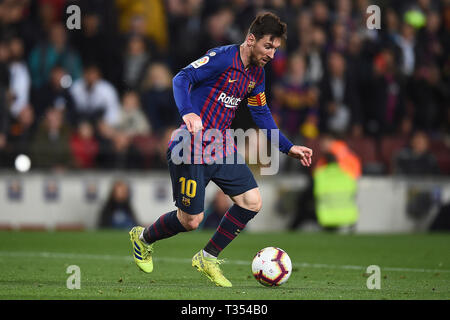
(188, 187)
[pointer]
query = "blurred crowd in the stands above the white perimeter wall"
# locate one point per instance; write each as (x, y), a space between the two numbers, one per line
(101, 97)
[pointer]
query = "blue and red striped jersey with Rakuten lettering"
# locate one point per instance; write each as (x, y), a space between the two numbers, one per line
(213, 87)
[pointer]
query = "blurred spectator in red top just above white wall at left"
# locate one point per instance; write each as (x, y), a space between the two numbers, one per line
(84, 147)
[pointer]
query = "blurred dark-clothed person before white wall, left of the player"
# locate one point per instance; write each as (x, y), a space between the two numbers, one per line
(118, 212)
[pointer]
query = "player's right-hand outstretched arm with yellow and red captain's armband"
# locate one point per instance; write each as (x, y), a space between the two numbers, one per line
(263, 118)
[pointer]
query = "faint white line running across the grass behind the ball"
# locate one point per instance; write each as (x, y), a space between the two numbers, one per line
(60, 255)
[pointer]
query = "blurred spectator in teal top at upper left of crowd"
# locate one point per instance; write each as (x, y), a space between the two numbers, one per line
(55, 51)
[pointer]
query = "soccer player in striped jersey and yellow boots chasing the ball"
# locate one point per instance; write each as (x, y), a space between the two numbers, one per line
(207, 93)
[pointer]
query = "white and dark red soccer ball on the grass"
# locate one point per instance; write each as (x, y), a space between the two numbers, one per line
(271, 266)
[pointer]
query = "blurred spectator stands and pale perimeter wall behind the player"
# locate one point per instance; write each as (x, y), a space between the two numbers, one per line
(391, 111)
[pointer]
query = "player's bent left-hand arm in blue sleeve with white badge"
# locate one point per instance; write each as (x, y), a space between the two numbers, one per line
(208, 66)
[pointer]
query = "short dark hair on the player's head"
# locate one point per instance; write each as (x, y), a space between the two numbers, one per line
(268, 23)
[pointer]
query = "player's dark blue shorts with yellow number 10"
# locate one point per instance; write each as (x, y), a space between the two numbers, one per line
(189, 182)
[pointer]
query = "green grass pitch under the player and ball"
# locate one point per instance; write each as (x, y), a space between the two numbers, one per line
(326, 266)
